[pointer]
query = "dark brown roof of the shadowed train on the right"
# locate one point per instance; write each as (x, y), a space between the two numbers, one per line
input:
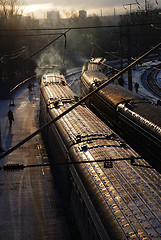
(116, 94)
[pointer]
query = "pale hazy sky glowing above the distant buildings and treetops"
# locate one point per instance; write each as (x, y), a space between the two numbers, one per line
(40, 7)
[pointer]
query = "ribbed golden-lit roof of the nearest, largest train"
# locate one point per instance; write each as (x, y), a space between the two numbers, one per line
(129, 194)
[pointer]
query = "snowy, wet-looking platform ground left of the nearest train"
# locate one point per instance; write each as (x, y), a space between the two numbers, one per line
(30, 206)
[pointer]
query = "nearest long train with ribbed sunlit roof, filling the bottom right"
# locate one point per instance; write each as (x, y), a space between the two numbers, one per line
(112, 192)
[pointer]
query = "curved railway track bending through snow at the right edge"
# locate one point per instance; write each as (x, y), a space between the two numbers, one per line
(152, 83)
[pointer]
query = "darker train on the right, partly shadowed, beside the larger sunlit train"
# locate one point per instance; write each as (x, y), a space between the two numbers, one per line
(132, 116)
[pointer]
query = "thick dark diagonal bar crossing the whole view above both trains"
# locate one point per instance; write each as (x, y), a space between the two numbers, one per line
(79, 102)
